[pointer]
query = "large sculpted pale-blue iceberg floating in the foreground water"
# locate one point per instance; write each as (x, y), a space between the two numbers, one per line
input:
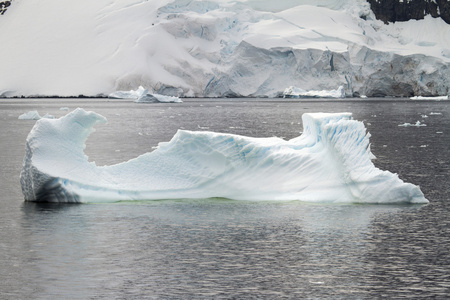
(329, 162)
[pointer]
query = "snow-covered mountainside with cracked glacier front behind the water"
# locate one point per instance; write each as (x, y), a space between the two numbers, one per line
(218, 48)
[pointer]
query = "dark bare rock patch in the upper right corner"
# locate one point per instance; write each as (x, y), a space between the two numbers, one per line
(404, 10)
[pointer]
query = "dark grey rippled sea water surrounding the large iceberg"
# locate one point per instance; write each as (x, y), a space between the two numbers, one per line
(222, 249)
